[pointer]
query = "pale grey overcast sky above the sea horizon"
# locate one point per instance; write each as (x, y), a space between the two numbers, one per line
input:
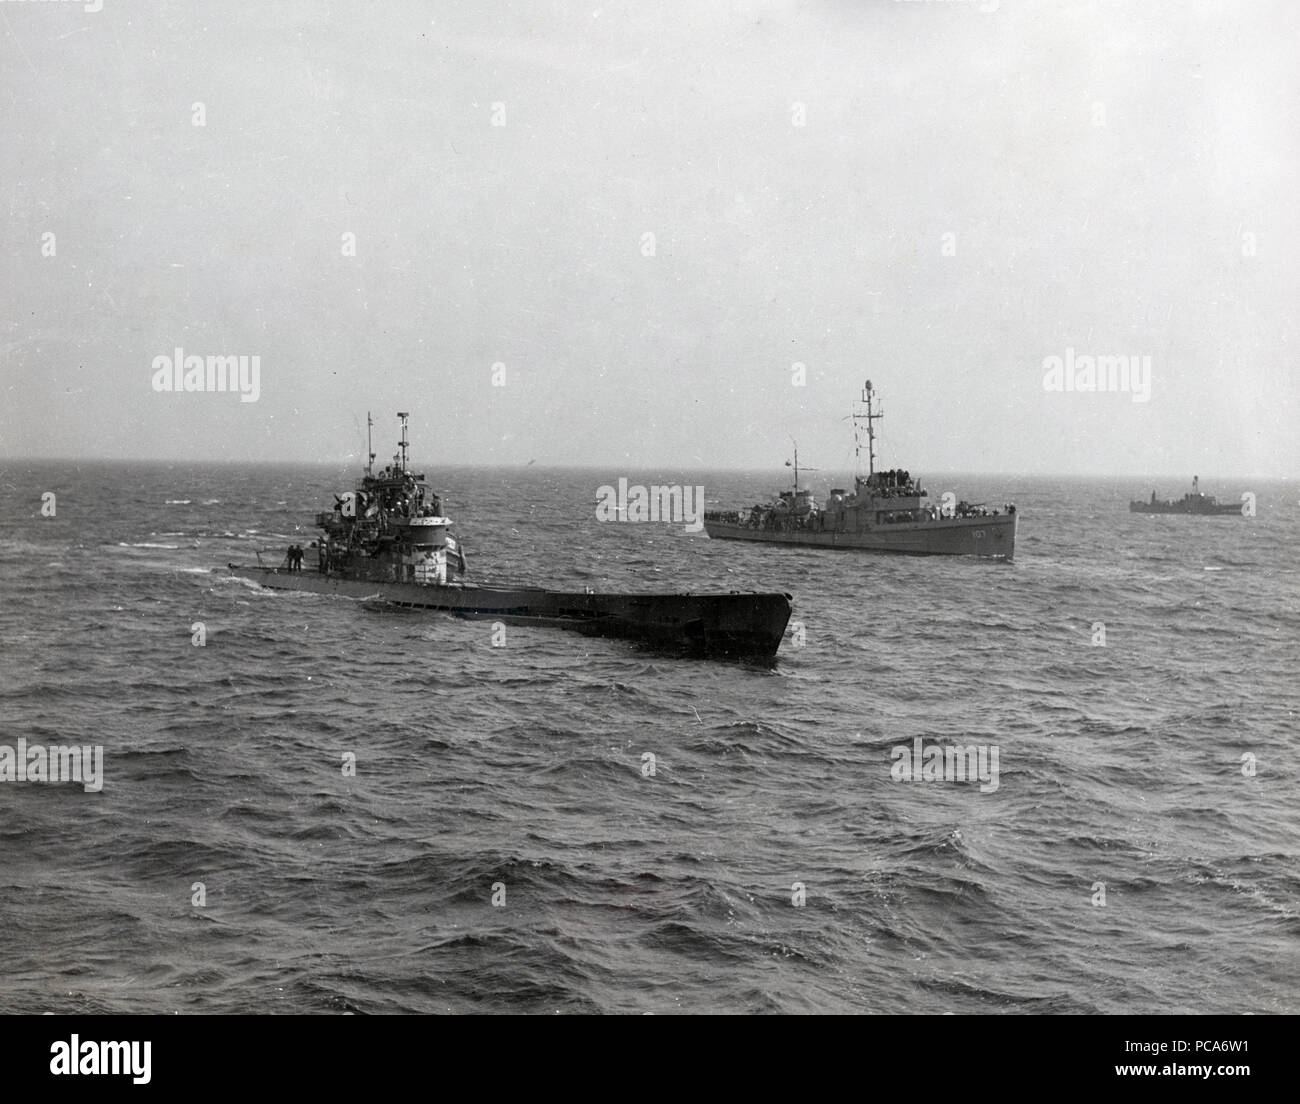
(938, 197)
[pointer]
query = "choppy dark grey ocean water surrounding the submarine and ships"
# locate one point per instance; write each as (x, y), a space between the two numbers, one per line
(504, 846)
